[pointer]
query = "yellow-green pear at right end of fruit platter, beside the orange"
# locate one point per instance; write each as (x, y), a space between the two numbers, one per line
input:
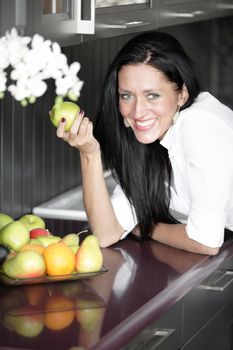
(89, 257)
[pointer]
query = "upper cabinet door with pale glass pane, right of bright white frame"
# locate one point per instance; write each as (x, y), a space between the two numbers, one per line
(115, 17)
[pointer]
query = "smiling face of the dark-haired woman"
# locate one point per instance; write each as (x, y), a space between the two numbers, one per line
(148, 101)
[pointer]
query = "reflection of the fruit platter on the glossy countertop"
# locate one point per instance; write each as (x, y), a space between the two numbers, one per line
(31, 309)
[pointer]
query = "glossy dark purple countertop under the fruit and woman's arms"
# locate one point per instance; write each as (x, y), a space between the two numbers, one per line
(144, 279)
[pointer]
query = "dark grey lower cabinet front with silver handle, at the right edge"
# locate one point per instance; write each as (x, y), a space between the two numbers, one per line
(208, 309)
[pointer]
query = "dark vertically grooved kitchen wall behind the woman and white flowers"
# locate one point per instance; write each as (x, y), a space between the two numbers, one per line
(36, 165)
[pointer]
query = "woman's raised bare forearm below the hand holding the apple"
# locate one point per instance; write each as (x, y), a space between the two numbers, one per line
(97, 202)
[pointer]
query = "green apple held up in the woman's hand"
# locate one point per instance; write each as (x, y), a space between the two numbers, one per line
(67, 110)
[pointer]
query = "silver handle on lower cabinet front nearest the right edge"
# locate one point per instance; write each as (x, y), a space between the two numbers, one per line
(218, 281)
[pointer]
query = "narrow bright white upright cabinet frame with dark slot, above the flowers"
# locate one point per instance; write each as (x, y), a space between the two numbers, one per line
(85, 16)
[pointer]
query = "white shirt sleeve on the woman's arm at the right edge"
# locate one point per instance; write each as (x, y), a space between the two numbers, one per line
(209, 169)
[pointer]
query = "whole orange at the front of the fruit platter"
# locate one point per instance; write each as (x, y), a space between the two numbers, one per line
(59, 259)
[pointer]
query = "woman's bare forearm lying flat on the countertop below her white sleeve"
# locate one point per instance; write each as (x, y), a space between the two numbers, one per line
(175, 236)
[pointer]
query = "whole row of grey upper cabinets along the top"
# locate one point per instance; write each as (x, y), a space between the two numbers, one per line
(72, 22)
